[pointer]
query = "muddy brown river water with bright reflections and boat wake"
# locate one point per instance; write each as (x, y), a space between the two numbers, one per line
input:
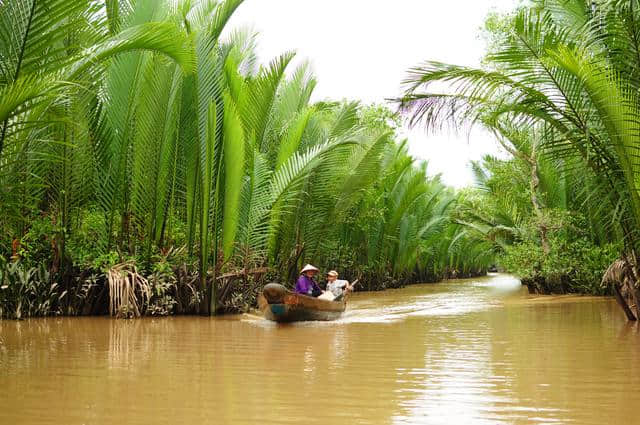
(474, 351)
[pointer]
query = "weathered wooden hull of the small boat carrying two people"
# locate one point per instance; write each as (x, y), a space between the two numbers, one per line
(279, 304)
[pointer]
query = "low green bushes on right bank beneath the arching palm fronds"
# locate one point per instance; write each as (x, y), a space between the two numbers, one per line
(578, 246)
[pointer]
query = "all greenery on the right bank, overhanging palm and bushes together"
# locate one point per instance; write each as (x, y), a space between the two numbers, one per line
(559, 89)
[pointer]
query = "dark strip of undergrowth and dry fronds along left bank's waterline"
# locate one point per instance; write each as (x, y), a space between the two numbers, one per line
(158, 290)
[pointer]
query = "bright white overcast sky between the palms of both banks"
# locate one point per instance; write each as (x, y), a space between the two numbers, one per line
(361, 49)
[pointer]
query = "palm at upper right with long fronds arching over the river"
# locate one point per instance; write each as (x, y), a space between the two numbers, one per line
(565, 72)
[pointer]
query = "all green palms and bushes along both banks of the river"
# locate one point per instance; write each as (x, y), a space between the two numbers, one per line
(150, 165)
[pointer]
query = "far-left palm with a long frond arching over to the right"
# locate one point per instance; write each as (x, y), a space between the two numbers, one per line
(52, 56)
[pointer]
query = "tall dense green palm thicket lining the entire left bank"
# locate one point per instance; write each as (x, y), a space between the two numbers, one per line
(149, 165)
